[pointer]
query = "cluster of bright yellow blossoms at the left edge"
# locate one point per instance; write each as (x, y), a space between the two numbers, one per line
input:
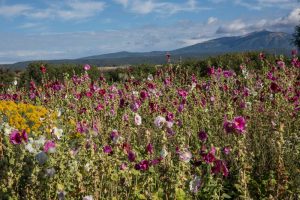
(24, 116)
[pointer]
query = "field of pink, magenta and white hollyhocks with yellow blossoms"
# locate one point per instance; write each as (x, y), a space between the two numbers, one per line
(168, 135)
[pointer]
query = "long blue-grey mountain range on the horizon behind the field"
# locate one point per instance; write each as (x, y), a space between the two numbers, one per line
(273, 42)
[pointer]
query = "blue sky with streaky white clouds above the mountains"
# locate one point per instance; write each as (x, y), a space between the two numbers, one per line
(58, 29)
